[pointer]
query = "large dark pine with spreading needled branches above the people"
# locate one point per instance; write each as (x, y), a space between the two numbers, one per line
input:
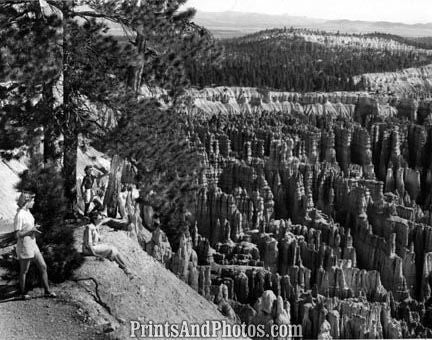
(78, 74)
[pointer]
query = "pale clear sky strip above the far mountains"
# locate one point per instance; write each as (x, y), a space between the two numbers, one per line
(405, 11)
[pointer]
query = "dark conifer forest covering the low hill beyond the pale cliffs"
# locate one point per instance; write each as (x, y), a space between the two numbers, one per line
(292, 64)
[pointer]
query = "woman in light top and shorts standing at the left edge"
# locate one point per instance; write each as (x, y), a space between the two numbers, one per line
(27, 249)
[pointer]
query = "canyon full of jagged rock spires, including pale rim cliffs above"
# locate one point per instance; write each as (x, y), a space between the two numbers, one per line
(318, 212)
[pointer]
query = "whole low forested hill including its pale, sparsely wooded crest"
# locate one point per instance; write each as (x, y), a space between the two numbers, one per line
(308, 60)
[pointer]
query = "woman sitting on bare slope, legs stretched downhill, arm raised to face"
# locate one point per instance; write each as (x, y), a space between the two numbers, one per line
(92, 247)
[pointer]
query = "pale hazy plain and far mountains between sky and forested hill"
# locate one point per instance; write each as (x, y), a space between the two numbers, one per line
(233, 24)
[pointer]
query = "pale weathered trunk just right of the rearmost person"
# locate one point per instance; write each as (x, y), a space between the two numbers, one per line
(114, 186)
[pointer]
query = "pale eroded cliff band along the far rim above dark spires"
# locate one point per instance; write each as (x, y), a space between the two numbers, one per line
(355, 105)
